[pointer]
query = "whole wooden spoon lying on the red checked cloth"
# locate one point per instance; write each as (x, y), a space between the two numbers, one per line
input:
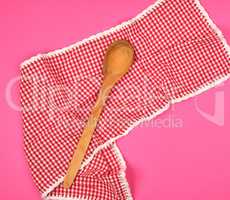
(118, 59)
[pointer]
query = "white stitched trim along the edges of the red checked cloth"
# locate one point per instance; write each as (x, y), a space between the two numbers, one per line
(108, 143)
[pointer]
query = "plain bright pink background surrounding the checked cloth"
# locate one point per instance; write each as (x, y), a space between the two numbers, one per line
(190, 162)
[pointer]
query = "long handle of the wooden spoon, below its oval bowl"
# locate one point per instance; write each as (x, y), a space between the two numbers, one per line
(87, 134)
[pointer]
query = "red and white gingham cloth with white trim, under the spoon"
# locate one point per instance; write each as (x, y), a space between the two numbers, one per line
(178, 53)
